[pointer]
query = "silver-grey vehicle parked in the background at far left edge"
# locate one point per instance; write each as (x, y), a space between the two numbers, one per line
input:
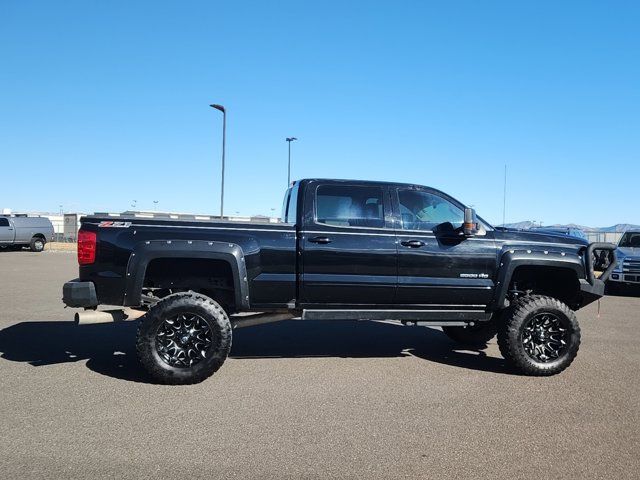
(22, 231)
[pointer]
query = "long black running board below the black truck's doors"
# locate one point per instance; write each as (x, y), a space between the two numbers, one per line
(402, 315)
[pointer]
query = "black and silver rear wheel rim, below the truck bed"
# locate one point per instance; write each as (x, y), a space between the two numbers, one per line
(184, 340)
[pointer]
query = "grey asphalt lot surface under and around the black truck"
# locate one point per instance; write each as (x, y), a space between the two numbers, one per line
(305, 400)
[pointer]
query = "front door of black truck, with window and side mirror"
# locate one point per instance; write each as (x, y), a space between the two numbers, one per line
(437, 266)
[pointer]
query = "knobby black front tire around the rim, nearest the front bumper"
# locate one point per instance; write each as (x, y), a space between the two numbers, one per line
(511, 329)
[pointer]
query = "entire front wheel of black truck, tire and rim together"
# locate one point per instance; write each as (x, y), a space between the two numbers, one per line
(539, 336)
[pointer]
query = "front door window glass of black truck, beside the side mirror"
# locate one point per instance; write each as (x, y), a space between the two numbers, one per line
(425, 211)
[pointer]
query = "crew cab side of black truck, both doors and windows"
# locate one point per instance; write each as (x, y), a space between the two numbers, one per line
(371, 245)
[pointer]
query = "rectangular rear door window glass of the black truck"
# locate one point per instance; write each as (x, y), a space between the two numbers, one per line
(349, 206)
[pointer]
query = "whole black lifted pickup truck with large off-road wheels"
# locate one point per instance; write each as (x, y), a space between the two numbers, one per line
(345, 250)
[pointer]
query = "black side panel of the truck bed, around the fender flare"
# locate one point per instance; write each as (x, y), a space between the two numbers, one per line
(269, 252)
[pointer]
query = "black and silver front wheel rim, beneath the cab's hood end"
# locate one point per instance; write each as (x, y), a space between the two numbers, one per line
(544, 337)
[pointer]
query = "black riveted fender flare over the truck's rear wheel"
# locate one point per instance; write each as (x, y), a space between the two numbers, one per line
(146, 251)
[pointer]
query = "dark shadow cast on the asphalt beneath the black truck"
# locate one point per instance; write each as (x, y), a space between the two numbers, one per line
(109, 349)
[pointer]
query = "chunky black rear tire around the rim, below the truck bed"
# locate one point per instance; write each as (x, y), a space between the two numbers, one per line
(168, 307)
